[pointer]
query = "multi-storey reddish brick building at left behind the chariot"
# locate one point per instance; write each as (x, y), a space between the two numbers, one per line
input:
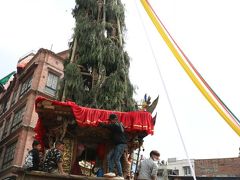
(37, 74)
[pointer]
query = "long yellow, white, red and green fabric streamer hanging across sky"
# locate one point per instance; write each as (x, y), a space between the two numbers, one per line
(200, 83)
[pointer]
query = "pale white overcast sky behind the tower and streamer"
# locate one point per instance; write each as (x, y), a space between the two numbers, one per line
(208, 33)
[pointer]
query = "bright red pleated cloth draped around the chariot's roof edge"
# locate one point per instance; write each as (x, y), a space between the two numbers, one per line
(89, 117)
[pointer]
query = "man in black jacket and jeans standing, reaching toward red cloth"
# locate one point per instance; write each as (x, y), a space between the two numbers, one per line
(120, 144)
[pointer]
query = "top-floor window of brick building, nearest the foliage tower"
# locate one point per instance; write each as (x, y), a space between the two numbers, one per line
(51, 86)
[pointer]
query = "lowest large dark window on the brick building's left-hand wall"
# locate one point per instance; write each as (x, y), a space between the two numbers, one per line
(9, 155)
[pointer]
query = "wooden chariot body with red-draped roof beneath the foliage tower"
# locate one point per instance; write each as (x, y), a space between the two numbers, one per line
(86, 144)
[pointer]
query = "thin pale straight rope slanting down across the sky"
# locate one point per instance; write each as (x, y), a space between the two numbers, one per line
(166, 92)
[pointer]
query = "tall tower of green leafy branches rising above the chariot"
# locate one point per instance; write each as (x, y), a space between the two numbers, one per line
(97, 73)
